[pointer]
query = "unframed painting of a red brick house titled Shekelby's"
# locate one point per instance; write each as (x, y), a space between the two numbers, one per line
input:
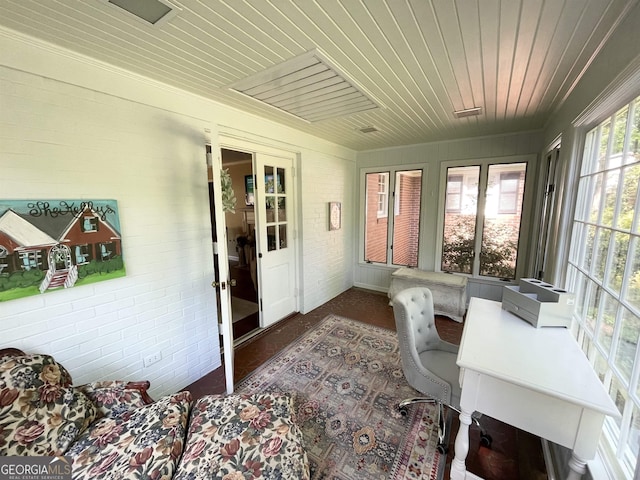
(49, 245)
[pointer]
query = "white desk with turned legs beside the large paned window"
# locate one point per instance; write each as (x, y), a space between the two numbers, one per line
(536, 379)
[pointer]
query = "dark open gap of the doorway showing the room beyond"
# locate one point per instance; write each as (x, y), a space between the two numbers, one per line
(241, 244)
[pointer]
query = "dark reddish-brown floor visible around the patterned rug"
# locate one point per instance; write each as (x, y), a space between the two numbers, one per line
(514, 454)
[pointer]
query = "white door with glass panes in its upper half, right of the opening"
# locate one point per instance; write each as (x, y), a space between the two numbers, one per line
(275, 234)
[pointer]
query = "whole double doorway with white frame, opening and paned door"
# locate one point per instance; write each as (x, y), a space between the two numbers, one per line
(260, 245)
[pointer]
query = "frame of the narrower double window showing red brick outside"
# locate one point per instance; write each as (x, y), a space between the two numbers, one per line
(392, 171)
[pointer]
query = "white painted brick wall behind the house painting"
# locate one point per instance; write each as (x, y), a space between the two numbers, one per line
(59, 141)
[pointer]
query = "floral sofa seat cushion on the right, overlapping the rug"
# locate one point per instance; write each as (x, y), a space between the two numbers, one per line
(243, 437)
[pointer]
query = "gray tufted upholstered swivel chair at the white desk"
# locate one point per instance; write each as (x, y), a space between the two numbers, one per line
(428, 362)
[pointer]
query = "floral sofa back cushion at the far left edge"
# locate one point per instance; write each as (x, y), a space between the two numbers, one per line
(40, 413)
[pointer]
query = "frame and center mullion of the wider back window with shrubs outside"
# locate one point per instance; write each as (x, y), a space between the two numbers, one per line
(524, 254)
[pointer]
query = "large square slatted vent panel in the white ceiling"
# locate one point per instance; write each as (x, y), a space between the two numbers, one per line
(308, 86)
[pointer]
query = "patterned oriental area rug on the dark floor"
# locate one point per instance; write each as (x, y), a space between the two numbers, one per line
(346, 380)
